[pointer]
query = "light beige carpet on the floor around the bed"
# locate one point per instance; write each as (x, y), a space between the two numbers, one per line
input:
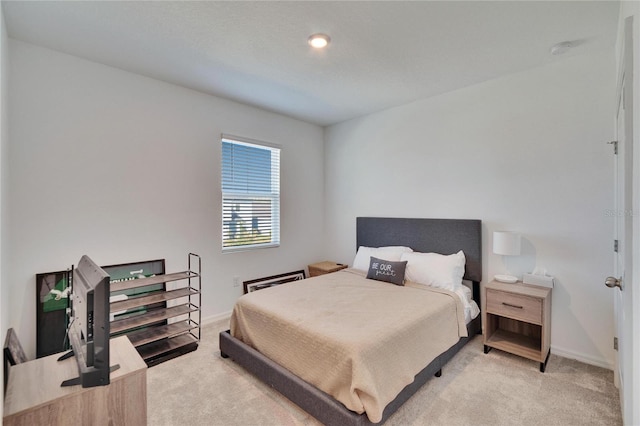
(201, 388)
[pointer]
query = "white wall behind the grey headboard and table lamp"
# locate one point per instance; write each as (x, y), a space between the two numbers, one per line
(523, 153)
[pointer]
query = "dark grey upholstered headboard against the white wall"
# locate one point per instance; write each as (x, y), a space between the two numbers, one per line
(444, 236)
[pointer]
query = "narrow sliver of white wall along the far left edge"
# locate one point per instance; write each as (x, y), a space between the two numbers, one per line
(5, 300)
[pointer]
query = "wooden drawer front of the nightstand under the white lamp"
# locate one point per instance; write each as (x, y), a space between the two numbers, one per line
(516, 306)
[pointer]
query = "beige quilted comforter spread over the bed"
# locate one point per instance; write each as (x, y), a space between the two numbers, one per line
(361, 341)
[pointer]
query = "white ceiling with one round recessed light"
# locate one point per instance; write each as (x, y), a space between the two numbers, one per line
(382, 54)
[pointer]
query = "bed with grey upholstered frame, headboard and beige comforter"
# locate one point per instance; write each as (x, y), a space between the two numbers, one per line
(375, 388)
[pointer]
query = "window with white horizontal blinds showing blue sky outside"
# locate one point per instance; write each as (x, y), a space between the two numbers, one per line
(250, 194)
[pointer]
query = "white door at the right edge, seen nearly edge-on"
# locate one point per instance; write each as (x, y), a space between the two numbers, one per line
(625, 224)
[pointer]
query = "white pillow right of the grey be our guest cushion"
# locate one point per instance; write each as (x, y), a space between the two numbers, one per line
(435, 270)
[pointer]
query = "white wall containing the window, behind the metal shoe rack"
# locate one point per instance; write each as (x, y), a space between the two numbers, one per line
(125, 168)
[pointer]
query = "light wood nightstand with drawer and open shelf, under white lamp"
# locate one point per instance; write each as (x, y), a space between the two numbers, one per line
(517, 319)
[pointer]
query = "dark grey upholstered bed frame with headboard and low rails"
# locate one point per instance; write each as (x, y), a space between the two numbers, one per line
(444, 236)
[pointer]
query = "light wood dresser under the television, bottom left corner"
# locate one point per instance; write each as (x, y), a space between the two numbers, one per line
(34, 395)
